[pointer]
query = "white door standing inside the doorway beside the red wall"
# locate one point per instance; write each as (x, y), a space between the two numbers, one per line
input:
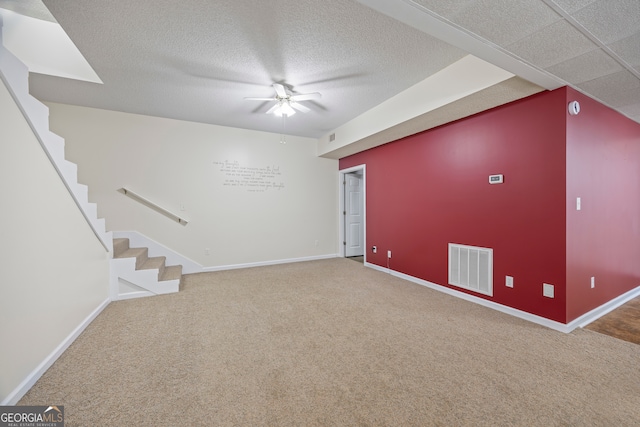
(354, 215)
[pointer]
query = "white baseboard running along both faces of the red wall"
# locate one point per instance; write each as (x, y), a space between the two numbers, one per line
(561, 327)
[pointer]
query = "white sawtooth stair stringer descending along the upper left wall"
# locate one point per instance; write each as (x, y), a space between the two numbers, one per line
(15, 76)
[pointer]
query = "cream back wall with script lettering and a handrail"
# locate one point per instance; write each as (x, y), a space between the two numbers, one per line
(176, 163)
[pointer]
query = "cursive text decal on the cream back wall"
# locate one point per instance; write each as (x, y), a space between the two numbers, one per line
(250, 178)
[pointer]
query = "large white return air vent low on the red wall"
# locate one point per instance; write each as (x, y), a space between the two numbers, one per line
(471, 268)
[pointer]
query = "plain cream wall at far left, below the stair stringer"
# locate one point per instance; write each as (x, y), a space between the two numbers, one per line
(54, 272)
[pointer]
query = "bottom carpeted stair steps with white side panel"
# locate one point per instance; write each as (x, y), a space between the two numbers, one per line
(141, 275)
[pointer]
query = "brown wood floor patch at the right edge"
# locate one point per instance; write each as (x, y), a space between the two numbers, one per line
(622, 323)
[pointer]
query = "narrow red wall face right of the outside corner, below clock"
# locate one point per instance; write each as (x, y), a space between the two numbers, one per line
(603, 238)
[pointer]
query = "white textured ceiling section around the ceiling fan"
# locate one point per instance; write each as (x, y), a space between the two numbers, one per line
(197, 59)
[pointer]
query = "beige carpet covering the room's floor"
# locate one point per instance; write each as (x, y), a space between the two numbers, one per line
(333, 343)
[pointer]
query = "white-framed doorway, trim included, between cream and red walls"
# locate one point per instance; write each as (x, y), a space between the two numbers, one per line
(353, 213)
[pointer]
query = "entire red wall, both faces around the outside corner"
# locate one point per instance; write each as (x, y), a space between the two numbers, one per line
(431, 189)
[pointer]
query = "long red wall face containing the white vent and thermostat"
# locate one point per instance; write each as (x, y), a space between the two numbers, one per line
(432, 188)
